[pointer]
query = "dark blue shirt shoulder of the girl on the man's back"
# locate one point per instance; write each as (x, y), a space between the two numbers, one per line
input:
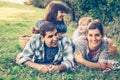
(61, 27)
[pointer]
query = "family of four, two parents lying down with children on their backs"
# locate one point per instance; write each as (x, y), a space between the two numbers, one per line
(50, 50)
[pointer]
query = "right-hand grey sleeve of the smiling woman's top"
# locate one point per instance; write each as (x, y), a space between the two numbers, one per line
(103, 57)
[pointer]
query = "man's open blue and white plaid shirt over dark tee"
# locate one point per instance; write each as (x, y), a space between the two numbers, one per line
(34, 51)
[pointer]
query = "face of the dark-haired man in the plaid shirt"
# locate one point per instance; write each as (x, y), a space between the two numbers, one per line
(51, 39)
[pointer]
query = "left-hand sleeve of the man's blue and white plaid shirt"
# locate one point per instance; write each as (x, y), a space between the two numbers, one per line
(28, 51)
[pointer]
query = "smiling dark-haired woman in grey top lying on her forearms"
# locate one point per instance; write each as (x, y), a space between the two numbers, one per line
(93, 52)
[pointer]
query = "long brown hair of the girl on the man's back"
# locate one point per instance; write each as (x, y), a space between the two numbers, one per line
(52, 10)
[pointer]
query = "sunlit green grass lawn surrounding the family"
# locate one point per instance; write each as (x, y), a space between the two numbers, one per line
(17, 20)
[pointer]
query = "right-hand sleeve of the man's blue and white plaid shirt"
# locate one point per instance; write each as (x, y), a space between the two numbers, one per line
(67, 53)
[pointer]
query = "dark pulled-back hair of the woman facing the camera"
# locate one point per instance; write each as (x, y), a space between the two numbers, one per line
(96, 25)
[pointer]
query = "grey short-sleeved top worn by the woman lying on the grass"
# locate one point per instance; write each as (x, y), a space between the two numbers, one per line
(102, 52)
